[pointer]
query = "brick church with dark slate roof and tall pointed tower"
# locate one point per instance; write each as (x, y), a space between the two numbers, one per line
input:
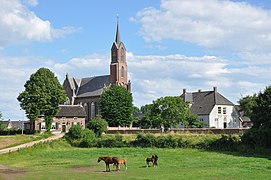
(87, 91)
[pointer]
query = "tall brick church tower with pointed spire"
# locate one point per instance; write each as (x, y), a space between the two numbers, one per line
(118, 66)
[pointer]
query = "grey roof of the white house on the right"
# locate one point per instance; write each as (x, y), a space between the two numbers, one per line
(204, 102)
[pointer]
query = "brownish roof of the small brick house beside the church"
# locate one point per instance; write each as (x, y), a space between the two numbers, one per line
(71, 111)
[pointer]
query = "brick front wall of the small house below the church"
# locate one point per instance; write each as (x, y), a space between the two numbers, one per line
(60, 124)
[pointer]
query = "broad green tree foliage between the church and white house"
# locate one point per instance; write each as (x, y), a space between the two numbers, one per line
(168, 112)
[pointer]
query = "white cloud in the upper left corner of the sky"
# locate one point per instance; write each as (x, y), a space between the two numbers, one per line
(19, 24)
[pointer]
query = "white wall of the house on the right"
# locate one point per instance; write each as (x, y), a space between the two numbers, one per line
(226, 117)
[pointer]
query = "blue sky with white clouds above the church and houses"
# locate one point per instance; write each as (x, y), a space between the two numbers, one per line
(171, 45)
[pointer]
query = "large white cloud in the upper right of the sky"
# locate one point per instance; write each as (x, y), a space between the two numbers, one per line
(211, 23)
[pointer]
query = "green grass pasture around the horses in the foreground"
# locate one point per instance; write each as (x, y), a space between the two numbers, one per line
(57, 160)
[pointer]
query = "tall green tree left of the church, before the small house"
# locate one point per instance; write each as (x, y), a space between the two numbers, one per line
(42, 95)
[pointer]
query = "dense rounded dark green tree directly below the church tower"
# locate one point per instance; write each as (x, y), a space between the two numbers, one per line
(117, 106)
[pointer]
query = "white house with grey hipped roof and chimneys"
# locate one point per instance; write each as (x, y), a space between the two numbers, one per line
(213, 108)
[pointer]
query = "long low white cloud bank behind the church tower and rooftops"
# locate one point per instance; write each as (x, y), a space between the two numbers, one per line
(152, 76)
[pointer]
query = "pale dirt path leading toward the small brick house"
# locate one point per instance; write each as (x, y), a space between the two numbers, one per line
(15, 148)
